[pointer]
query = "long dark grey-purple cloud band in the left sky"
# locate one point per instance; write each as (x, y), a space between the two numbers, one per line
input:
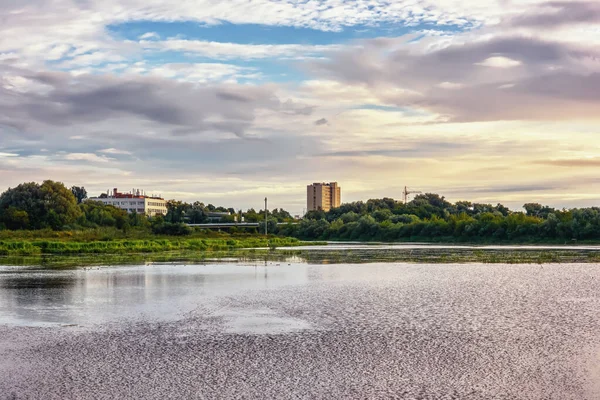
(172, 105)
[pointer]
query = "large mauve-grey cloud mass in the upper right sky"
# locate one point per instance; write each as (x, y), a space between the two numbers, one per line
(553, 81)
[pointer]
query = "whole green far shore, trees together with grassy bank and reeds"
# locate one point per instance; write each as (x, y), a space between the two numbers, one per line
(50, 224)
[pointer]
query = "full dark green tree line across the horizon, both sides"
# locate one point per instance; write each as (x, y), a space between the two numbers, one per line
(428, 217)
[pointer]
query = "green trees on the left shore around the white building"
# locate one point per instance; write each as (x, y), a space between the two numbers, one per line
(51, 205)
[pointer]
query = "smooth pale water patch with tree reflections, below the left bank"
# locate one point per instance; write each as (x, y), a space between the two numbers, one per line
(99, 294)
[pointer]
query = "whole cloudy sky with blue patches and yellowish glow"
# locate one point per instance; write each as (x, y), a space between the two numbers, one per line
(230, 101)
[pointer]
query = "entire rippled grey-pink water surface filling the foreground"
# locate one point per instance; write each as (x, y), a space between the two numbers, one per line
(293, 330)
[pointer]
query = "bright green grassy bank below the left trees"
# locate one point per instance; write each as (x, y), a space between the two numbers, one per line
(121, 246)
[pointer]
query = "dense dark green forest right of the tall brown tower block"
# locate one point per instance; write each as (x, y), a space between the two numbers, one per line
(430, 217)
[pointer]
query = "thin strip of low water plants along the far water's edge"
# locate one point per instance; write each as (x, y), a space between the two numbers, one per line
(264, 256)
